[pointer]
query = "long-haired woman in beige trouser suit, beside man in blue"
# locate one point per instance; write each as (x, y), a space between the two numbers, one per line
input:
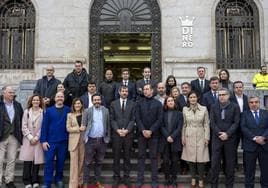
(76, 143)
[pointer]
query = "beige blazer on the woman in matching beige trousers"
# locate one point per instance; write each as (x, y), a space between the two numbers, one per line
(74, 132)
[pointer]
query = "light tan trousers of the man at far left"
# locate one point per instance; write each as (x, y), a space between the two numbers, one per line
(9, 147)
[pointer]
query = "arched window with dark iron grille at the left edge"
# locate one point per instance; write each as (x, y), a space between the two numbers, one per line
(17, 34)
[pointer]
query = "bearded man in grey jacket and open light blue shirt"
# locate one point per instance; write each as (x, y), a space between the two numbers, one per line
(97, 136)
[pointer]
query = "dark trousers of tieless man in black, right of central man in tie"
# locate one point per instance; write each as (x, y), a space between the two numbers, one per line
(152, 144)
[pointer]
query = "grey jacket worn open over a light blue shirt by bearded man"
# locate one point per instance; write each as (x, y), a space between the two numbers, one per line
(88, 119)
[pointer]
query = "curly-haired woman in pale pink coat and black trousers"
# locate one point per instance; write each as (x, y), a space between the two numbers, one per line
(31, 150)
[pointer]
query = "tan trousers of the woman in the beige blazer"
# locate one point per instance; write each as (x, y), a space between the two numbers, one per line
(77, 164)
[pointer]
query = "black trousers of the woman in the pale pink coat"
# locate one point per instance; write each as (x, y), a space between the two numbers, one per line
(30, 172)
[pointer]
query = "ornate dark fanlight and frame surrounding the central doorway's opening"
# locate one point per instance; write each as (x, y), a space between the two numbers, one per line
(124, 16)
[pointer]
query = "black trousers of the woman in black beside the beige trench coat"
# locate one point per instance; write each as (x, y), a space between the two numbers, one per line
(170, 160)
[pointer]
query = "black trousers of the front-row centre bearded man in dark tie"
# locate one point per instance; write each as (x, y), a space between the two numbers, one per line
(120, 144)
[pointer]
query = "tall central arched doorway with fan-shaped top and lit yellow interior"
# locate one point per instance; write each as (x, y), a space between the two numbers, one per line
(125, 33)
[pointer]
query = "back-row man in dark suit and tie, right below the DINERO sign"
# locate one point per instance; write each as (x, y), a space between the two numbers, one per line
(201, 84)
